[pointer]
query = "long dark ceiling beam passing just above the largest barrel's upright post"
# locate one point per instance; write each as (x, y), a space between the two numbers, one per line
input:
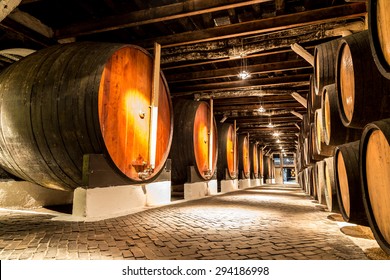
(272, 24)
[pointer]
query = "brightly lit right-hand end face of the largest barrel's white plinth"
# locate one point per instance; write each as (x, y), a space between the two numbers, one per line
(158, 193)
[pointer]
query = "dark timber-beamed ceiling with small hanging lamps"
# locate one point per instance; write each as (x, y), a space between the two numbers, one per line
(205, 45)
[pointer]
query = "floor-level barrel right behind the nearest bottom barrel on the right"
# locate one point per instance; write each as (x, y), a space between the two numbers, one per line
(348, 188)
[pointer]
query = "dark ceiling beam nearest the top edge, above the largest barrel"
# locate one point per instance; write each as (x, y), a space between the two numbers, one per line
(152, 15)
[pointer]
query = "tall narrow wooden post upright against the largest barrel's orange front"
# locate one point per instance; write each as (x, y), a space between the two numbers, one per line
(154, 106)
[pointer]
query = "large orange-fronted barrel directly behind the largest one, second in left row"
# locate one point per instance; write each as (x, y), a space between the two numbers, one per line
(190, 144)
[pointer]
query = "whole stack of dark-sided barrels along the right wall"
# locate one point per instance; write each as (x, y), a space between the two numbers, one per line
(354, 85)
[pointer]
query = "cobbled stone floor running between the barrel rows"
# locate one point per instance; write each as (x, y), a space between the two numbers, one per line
(271, 222)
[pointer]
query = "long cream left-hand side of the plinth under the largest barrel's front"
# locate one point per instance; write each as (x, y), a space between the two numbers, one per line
(107, 201)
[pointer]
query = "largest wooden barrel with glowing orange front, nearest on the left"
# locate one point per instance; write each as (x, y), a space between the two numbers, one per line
(63, 102)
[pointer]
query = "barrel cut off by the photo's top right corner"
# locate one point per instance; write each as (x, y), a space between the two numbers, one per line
(379, 30)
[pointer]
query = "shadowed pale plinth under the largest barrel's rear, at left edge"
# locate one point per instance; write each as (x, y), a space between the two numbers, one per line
(26, 195)
